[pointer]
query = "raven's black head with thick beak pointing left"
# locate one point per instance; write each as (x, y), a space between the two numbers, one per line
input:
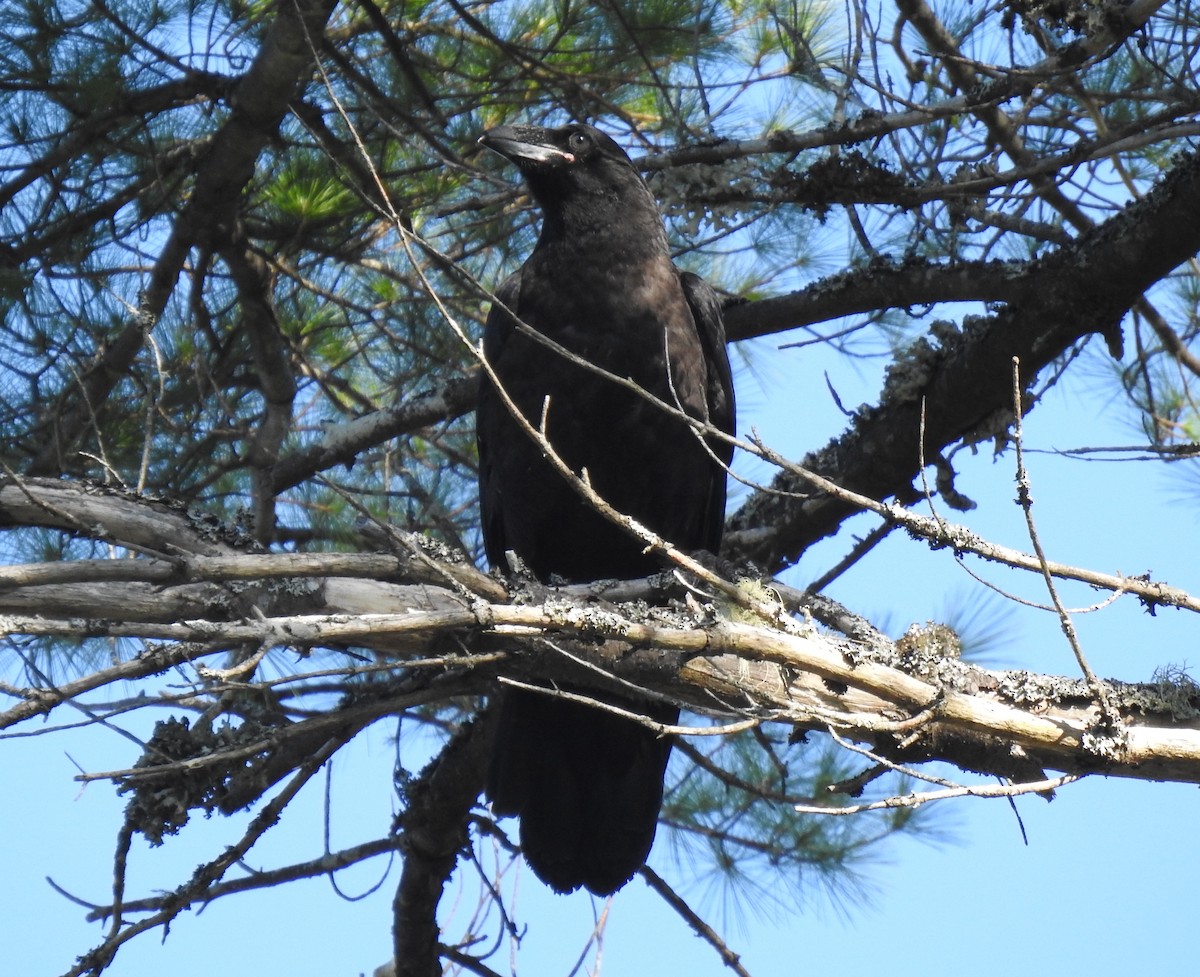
(579, 176)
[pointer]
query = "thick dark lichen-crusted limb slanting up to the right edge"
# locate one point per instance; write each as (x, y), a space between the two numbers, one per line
(964, 377)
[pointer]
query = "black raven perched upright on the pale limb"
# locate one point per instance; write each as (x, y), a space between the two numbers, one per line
(601, 283)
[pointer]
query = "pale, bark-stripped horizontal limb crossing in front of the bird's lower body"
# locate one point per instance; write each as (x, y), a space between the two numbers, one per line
(968, 716)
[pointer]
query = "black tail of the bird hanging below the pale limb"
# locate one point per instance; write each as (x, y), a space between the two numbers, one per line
(586, 784)
